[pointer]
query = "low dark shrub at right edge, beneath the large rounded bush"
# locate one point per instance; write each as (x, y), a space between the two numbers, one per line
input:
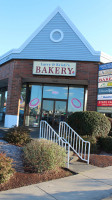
(105, 143)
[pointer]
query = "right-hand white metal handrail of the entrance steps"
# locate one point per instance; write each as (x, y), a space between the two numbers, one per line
(77, 144)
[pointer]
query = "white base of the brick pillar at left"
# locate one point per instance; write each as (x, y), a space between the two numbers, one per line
(11, 120)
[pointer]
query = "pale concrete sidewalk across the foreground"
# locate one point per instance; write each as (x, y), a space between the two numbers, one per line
(93, 184)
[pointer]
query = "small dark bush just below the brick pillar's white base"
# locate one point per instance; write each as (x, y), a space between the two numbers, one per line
(18, 135)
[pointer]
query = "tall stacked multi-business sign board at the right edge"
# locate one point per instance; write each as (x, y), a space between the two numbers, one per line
(104, 97)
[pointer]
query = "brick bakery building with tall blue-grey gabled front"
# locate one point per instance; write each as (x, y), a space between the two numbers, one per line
(53, 74)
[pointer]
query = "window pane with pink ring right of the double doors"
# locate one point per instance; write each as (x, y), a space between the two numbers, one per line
(75, 100)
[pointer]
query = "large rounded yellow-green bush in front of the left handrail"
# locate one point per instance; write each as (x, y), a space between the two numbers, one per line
(41, 155)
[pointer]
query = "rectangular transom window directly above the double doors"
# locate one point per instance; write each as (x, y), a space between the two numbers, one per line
(55, 92)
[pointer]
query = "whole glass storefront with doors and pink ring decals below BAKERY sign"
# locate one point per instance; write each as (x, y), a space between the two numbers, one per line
(54, 106)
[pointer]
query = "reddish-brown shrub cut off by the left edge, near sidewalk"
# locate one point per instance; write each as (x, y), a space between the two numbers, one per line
(6, 170)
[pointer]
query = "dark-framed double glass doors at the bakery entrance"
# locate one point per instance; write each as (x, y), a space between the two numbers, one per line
(54, 111)
